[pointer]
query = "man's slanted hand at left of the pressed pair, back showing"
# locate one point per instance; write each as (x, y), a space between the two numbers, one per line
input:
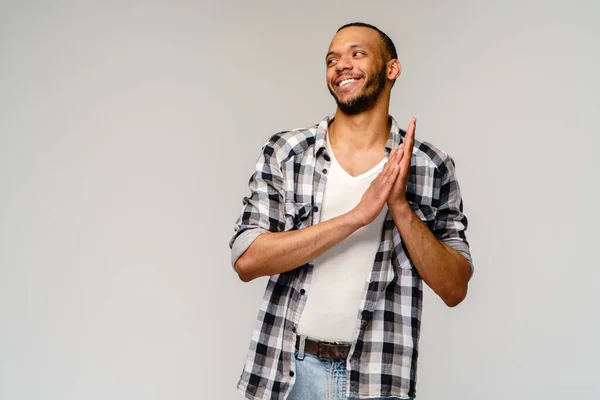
(378, 192)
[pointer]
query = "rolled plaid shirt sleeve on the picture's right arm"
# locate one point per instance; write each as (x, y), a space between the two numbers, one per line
(450, 222)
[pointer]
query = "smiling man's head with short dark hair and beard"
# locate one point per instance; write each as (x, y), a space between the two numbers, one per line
(362, 64)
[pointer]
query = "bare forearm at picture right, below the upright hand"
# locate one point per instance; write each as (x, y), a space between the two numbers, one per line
(442, 268)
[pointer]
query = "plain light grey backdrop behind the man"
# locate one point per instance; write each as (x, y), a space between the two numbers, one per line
(128, 132)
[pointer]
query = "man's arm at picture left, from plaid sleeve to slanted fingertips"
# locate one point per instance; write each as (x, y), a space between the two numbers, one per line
(273, 251)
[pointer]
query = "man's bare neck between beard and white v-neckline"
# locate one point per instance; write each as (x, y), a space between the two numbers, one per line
(367, 130)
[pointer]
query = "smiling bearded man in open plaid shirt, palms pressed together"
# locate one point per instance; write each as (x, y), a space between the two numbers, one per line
(348, 218)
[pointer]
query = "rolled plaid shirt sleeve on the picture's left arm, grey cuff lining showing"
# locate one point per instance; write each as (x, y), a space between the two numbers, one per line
(264, 209)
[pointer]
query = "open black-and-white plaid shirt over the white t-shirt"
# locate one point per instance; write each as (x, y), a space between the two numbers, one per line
(286, 193)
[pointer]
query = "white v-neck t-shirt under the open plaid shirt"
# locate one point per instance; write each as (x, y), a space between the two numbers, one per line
(339, 277)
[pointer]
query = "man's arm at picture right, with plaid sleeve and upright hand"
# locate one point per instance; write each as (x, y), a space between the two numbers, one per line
(441, 266)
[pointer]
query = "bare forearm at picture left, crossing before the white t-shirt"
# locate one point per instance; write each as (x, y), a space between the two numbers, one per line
(276, 252)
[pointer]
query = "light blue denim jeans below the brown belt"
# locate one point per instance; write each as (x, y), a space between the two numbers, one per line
(321, 379)
